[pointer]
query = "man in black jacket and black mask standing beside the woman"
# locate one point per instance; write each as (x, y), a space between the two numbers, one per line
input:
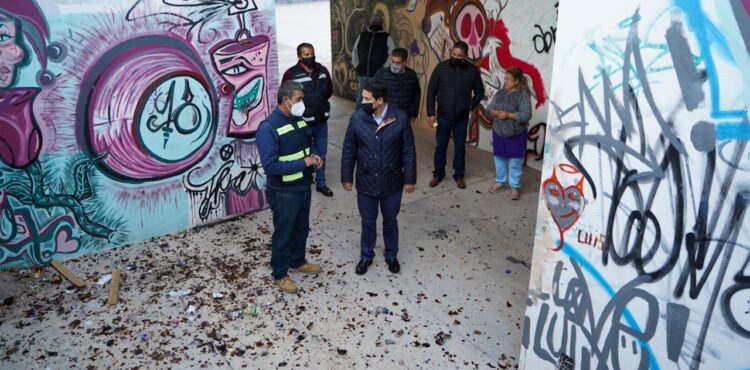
(457, 85)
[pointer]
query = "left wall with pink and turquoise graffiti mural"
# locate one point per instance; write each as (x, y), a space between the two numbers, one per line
(123, 120)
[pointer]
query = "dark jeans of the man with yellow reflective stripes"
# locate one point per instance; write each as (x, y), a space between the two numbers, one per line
(291, 224)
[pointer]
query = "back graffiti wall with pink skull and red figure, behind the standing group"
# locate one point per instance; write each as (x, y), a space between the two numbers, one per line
(500, 34)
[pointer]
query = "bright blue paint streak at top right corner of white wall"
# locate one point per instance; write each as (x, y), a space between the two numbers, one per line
(708, 35)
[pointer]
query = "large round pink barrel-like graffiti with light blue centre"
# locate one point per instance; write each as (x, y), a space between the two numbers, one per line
(148, 109)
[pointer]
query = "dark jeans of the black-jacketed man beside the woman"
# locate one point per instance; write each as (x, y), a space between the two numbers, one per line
(458, 129)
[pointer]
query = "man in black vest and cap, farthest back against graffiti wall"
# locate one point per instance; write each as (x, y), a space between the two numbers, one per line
(370, 53)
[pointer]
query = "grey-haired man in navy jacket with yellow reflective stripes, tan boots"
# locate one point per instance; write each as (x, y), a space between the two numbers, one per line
(285, 144)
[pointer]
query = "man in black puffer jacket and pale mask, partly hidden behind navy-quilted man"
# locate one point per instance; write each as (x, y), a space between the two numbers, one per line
(402, 83)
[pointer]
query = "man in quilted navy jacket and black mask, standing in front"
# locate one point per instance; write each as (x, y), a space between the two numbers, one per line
(380, 142)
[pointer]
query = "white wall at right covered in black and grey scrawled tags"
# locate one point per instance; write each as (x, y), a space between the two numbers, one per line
(642, 249)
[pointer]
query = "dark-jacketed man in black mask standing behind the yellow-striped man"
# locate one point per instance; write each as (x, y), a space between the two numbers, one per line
(318, 88)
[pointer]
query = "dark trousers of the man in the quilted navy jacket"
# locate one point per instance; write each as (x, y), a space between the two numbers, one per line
(389, 206)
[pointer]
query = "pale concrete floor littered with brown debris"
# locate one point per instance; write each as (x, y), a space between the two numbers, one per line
(464, 255)
